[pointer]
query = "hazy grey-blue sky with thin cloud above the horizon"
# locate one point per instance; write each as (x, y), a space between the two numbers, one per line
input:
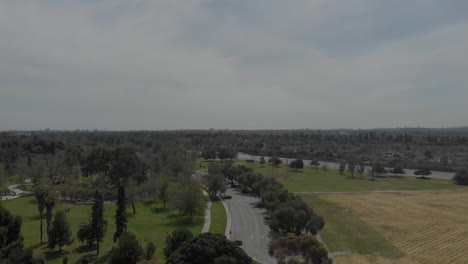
(239, 64)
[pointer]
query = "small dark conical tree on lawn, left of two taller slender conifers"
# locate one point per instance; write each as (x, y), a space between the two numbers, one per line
(60, 232)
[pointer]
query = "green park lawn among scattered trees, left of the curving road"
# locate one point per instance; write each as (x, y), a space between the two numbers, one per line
(151, 223)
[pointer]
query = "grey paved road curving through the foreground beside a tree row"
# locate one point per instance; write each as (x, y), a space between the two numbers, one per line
(248, 226)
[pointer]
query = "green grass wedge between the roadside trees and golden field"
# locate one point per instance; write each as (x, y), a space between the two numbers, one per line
(344, 231)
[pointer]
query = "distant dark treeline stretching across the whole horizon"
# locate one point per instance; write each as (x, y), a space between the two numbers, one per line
(438, 149)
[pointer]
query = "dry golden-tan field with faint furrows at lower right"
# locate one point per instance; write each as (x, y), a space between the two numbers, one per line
(430, 228)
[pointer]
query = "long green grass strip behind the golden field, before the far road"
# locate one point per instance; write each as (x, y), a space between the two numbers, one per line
(311, 180)
